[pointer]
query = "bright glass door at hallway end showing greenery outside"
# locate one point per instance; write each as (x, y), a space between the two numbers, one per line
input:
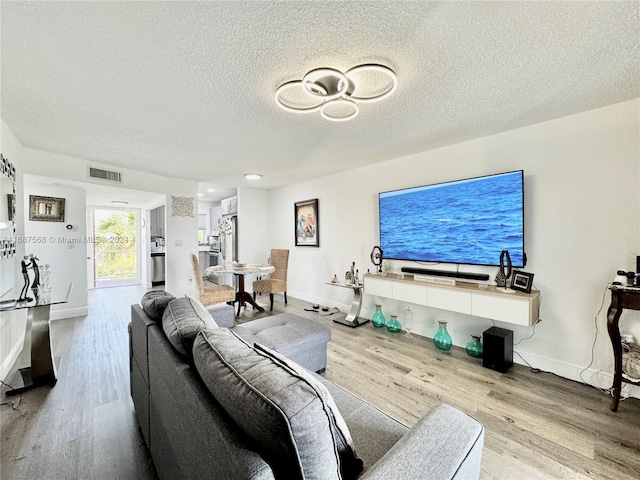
(115, 247)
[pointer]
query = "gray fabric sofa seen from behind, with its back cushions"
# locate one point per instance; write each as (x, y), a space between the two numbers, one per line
(212, 405)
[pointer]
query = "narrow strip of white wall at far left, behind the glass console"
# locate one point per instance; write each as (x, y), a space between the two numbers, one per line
(12, 323)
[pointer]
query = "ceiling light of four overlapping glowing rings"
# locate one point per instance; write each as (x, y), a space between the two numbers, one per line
(335, 94)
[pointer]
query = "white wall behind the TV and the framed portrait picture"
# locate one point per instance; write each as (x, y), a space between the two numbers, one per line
(582, 216)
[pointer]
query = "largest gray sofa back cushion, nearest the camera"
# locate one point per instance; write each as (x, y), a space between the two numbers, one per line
(279, 411)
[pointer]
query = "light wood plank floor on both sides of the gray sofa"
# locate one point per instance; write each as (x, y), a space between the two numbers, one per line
(537, 425)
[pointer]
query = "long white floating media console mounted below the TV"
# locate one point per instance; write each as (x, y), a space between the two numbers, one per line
(515, 307)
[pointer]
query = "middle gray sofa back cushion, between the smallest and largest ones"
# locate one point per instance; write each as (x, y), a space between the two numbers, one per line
(182, 321)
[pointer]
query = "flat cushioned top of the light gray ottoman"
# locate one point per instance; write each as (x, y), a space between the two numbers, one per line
(285, 332)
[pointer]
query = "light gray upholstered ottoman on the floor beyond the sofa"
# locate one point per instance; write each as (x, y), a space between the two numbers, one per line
(300, 339)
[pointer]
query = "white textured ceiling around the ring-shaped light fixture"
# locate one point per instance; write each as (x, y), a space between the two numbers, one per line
(186, 88)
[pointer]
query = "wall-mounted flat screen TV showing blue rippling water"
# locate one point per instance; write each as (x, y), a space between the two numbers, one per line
(466, 221)
